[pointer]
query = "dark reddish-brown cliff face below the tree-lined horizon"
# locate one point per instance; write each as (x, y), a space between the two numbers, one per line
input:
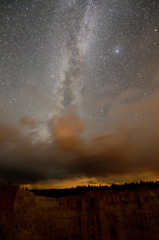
(94, 215)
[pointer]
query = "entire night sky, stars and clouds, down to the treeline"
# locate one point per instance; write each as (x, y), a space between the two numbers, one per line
(79, 91)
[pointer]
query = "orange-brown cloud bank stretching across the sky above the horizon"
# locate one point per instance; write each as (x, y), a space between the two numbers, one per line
(127, 145)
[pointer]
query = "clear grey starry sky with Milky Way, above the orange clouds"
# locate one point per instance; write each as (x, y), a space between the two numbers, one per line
(113, 44)
